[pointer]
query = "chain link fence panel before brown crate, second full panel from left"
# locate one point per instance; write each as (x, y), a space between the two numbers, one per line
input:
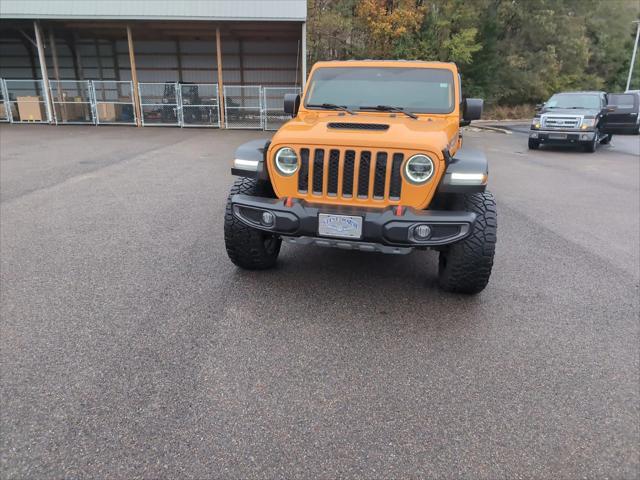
(72, 101)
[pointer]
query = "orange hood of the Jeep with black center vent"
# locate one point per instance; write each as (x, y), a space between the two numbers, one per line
(427, 133)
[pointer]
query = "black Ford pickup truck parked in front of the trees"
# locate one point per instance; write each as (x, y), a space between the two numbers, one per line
(577, 118)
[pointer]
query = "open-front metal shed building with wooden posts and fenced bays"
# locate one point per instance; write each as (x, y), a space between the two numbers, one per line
(213, 63)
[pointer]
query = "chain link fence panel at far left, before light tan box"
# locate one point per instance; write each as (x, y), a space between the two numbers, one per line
(26, 101)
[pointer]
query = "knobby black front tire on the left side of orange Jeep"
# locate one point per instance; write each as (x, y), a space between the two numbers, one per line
(248, 247)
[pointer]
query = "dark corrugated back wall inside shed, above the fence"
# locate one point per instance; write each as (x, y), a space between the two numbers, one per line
(269, 63)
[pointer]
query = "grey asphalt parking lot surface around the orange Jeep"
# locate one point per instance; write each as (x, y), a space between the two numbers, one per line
(132, 348)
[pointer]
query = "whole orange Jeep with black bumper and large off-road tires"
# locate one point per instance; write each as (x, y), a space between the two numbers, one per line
(372, 160)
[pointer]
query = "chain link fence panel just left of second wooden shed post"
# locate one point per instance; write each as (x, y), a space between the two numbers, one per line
(113, 102)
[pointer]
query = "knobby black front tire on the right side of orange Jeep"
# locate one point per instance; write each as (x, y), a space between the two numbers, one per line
(465, 267)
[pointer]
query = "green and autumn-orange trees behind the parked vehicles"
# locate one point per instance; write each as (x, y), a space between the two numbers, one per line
(509, 51)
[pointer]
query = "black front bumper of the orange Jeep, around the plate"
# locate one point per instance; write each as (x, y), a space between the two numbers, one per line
(387, 227)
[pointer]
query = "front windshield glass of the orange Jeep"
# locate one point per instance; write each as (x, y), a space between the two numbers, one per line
(418, 90)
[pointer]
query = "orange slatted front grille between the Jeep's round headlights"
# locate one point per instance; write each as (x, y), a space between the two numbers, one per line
(350, 173)
